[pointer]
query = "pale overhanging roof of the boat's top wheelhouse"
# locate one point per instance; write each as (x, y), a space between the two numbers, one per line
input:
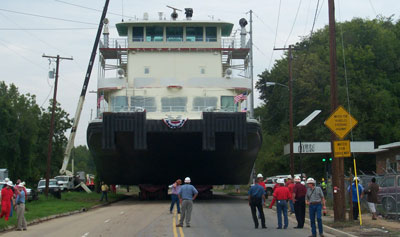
(225, 26)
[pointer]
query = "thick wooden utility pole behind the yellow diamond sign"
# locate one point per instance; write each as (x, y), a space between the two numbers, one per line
(337, 163)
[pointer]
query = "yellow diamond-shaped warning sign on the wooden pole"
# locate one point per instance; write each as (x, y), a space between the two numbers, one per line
(340, 122)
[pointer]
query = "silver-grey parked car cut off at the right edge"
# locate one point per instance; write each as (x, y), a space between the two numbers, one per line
(389, 192)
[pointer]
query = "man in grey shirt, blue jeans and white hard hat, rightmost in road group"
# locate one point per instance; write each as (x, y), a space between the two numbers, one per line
(315, 199)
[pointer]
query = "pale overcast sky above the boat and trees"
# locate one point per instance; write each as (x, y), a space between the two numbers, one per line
(29, 29)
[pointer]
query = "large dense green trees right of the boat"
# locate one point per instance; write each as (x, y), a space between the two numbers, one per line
(372, 49)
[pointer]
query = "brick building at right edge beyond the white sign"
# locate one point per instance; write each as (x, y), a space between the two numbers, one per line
(388, 158)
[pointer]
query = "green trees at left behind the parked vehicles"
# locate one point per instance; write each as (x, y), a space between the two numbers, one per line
(24, 131)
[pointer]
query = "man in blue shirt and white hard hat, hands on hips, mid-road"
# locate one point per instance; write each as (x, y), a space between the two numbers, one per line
(187, 194)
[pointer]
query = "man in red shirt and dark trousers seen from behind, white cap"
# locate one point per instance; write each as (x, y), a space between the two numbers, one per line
(282, 195)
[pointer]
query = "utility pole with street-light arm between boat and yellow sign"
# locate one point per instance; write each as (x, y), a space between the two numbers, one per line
(290, 108)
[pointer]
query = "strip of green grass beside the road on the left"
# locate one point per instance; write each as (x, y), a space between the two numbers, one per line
(70, 201)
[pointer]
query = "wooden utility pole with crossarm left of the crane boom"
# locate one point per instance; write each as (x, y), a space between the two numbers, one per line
(51, 133)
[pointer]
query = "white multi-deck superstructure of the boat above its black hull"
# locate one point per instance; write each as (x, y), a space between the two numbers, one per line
(172, 68)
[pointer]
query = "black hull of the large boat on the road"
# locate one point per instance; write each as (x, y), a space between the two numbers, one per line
(219, 149)
